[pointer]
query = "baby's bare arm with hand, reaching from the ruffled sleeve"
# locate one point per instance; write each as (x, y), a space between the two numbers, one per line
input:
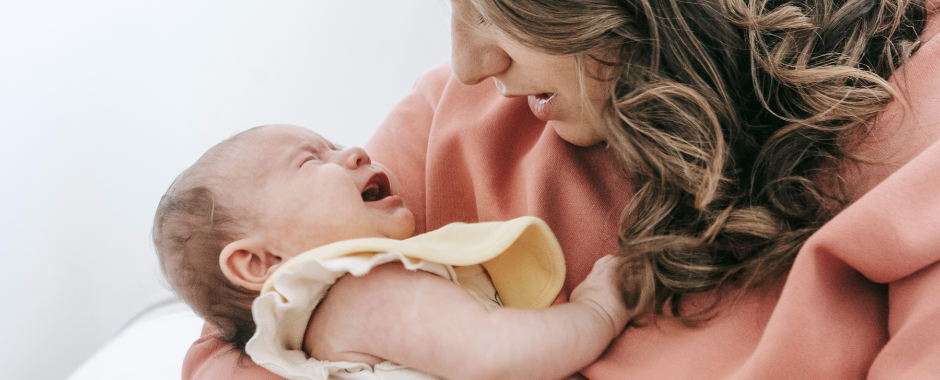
(431, 324)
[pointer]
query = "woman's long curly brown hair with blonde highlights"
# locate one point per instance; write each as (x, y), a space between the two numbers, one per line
(730, 117)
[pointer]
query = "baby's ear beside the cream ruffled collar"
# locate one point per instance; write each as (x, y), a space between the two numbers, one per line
(247, 263)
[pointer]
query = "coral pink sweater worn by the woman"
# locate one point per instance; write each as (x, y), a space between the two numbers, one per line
(861, 299)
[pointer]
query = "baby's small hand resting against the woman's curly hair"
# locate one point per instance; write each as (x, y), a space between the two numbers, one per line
(601, 291)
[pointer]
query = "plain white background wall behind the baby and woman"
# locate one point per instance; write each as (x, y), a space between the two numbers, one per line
(104, 102)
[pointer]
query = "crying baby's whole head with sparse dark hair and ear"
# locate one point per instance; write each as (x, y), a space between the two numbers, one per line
(257, 199)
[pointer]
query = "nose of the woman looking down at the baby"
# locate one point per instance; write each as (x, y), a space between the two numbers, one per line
(474, 57)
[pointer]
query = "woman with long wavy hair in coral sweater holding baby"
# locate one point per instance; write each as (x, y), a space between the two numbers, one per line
(727, 133)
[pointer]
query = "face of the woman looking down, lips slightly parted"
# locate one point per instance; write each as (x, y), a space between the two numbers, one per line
(551, 82)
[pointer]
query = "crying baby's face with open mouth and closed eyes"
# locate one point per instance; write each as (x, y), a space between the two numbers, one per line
(304, 192)
